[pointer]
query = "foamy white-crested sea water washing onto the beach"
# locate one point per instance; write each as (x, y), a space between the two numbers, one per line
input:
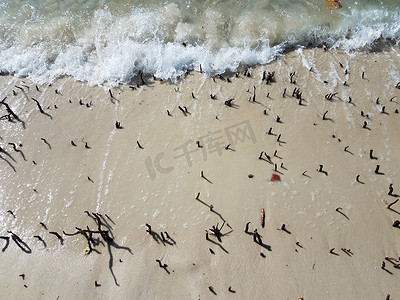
(111, 41)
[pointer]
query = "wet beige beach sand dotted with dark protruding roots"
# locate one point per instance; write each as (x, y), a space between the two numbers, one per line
(158, 184)
